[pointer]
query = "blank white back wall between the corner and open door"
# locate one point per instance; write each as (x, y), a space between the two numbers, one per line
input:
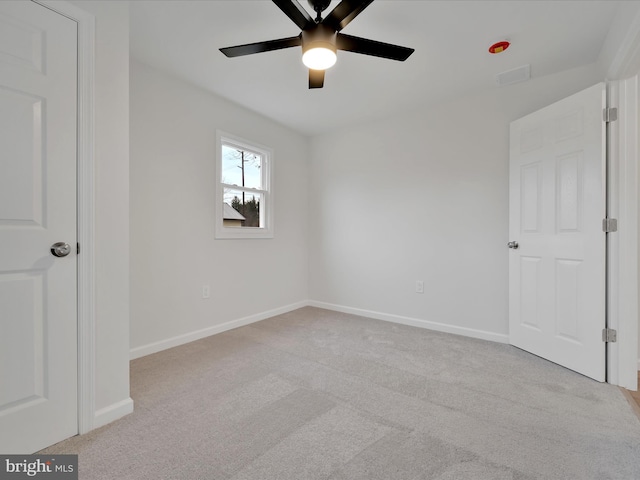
(423, 196)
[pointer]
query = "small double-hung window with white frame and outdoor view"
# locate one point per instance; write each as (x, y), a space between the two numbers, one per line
(243, 197)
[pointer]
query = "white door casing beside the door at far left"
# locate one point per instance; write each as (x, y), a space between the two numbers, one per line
(85, 207)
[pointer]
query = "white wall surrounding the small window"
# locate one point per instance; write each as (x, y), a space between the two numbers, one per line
(173, 249)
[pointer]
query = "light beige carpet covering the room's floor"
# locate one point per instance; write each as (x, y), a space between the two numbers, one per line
(314, 394)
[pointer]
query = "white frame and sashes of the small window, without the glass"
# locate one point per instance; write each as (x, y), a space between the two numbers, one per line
(266, 208)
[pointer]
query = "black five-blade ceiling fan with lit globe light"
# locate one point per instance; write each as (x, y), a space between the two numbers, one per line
(320, 38)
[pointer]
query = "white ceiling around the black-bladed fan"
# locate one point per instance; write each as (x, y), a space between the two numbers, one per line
(451, 39)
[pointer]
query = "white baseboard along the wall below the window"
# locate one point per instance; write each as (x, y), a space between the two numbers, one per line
(207, 332)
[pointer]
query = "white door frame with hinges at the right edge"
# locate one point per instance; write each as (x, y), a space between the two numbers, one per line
(623, 278)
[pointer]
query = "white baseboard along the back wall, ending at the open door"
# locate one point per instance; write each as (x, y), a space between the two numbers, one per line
(415, 322)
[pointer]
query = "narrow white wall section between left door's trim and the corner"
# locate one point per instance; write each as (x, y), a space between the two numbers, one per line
(112, 207)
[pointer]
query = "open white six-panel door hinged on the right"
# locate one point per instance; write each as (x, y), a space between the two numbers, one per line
(556, 208)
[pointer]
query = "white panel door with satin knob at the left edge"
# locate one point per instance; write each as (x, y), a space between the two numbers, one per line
(38, 304)
